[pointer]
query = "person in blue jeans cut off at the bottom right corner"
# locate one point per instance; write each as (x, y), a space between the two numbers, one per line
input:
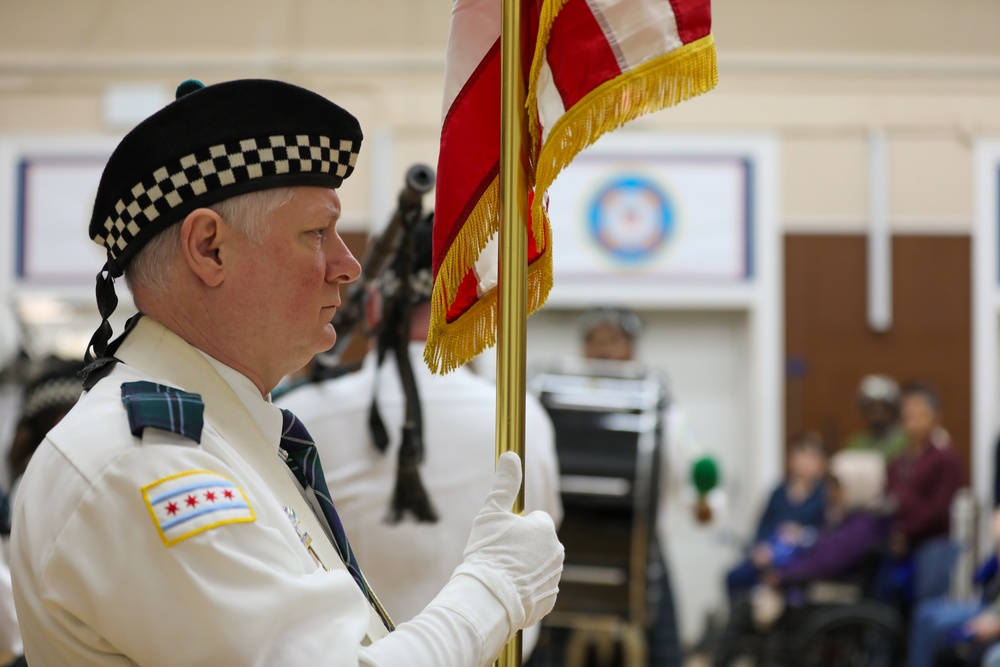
(956, 632)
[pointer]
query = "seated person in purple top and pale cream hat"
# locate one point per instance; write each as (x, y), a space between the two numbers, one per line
(854, 531)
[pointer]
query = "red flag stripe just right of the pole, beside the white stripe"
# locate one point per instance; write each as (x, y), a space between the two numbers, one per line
(578, 53)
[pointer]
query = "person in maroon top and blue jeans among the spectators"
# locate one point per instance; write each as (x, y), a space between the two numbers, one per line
(922, 484)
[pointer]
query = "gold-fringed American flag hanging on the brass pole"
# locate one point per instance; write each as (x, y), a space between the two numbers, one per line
(589, 67)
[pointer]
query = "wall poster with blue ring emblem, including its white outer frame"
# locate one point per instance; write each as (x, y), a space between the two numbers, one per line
(658, 219)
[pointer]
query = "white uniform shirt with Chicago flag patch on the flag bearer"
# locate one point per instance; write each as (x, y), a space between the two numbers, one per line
(104, 574)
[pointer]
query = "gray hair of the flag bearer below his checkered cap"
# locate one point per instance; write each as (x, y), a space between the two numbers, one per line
(247, 212)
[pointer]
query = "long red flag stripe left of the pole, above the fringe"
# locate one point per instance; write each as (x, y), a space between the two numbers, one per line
(469, 158)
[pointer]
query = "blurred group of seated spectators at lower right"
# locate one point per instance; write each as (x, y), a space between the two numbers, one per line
(870, 526)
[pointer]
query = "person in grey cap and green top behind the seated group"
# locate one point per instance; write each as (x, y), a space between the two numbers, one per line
(878, 400)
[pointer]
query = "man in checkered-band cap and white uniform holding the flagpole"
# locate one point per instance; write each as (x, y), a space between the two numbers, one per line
(176, 516)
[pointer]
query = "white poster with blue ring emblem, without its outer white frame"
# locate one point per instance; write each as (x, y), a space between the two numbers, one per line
(679, 218)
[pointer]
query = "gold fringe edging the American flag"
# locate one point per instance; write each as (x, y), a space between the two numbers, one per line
(654, 85)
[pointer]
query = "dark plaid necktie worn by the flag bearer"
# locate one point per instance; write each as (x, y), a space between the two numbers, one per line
(303, 460)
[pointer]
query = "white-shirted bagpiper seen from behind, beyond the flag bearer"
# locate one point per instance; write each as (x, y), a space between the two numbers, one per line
(457, 412)
